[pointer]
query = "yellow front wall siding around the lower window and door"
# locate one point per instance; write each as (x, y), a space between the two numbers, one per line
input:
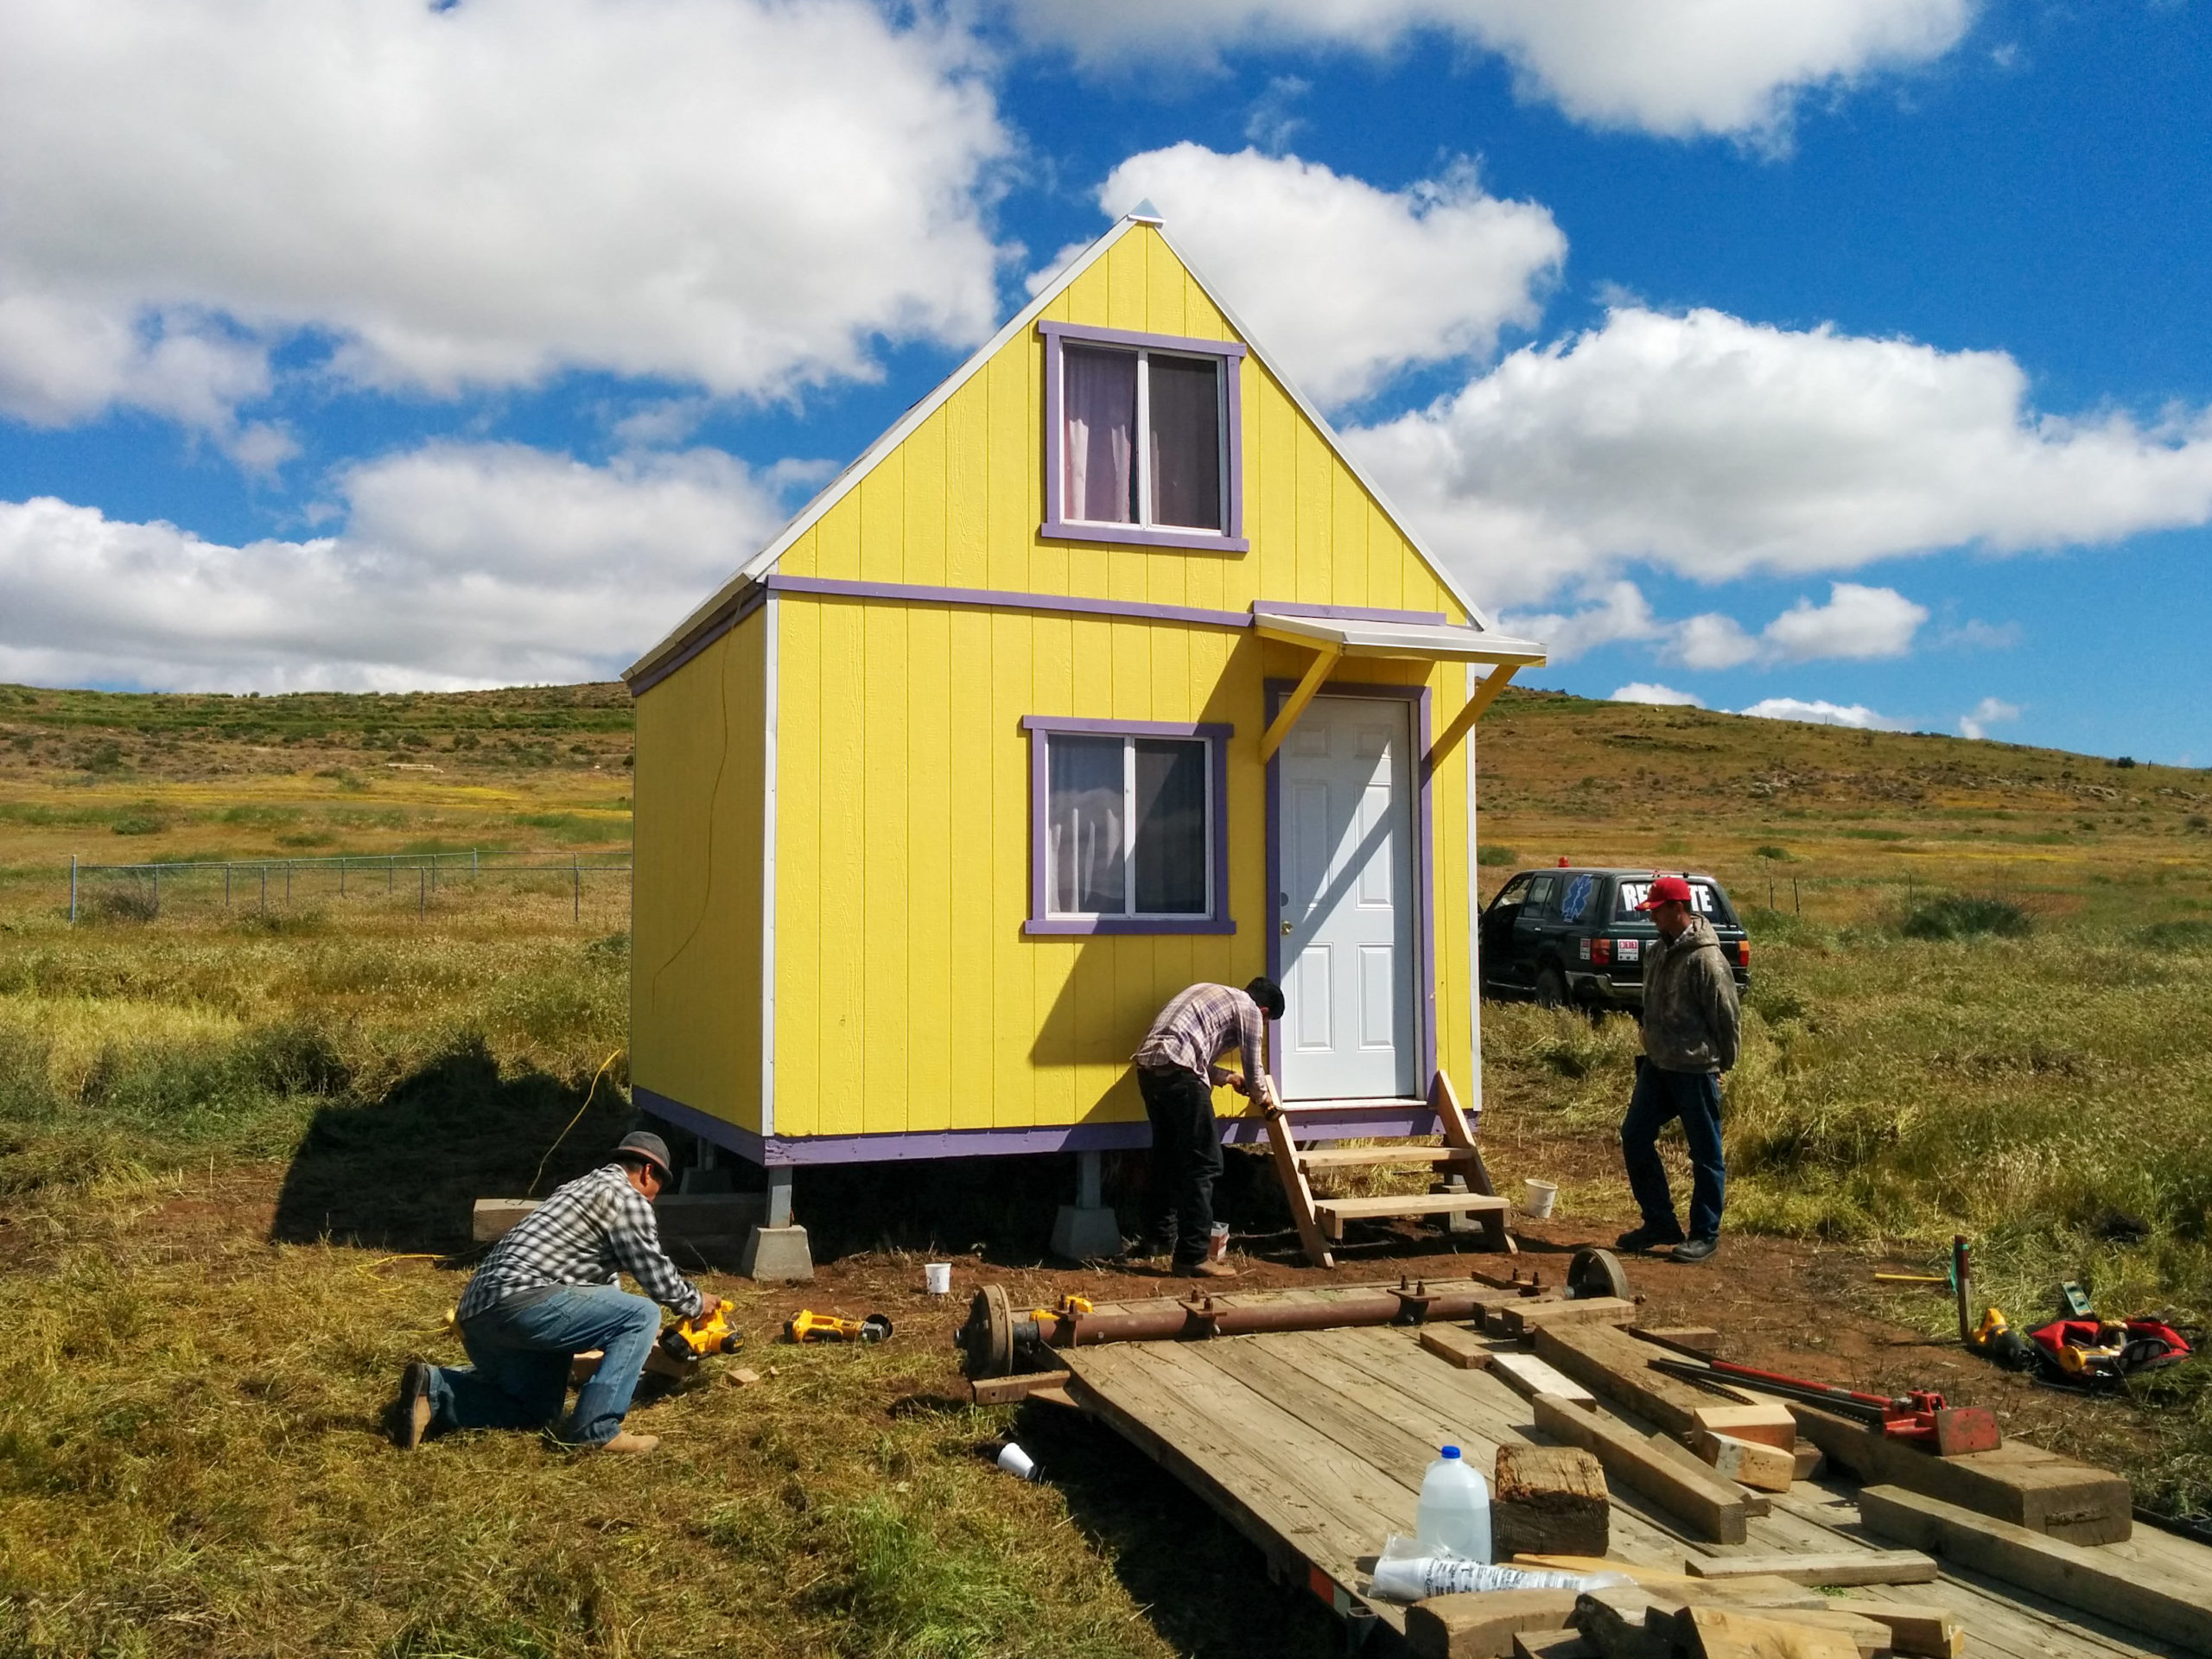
(908, 997)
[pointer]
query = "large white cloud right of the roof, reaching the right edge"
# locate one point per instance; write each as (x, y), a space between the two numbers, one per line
(1718, 448)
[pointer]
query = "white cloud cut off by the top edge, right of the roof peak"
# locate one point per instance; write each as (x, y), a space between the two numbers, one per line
(1676, 67)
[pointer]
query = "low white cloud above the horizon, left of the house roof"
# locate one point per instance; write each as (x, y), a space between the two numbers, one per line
(459, 565)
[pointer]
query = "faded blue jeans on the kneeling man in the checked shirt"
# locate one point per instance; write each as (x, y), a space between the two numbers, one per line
(519, 1364)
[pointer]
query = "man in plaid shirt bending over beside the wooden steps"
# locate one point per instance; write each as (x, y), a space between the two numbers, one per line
(1178, 1078)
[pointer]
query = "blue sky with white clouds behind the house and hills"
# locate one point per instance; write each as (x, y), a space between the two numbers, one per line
(1844, 359)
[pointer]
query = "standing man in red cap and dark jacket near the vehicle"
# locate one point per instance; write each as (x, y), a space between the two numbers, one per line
(1691, 1027)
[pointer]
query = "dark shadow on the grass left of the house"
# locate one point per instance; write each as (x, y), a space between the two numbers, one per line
(401, 1173)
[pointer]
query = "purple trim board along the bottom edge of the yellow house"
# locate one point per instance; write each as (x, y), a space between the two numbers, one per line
(793, 1151)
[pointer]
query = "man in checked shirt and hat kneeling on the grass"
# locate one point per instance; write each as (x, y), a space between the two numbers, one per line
(547, 1293)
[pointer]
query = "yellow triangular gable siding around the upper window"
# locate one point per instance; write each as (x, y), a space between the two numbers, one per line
(961, 501)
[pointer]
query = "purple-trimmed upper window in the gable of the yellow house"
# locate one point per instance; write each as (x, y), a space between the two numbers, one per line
(1142, 439)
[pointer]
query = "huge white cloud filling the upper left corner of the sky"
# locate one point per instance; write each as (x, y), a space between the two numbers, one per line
(727, 194)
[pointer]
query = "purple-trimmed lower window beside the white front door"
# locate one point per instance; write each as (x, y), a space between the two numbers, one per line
(1129, 828)
